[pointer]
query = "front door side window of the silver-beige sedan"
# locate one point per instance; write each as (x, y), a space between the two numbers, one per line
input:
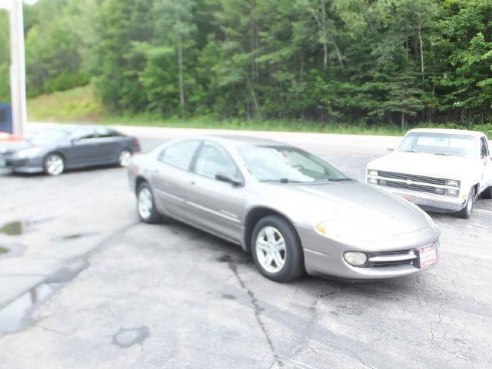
(213, 160)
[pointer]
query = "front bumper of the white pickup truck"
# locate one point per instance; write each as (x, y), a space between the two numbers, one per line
(438, 203)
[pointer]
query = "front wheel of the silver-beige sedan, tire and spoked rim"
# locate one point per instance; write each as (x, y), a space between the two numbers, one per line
(276, 249)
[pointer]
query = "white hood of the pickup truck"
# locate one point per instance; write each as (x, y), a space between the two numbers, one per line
(449, 167)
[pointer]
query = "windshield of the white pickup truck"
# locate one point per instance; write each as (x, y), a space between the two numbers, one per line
(439, 144)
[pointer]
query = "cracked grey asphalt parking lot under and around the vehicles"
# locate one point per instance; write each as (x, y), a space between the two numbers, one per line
(86, 285)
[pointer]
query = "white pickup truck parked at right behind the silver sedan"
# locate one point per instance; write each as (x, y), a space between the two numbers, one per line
(442, 170)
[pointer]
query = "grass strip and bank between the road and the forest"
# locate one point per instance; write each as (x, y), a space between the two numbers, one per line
(81, 105)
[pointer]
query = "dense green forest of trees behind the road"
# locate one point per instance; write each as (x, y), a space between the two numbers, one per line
(353, 61)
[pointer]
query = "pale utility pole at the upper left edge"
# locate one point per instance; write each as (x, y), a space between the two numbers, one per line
(17, 63)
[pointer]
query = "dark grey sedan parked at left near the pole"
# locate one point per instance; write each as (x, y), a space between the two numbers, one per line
(55, 149)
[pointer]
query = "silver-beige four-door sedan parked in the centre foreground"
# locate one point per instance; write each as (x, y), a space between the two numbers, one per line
(293, 211)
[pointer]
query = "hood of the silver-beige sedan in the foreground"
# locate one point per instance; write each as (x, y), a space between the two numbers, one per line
(351, 205)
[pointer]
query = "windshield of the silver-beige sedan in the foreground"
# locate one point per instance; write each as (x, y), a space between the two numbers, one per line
(288, 164)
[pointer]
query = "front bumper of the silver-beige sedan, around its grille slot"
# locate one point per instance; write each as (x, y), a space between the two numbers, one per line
(323, 256)
